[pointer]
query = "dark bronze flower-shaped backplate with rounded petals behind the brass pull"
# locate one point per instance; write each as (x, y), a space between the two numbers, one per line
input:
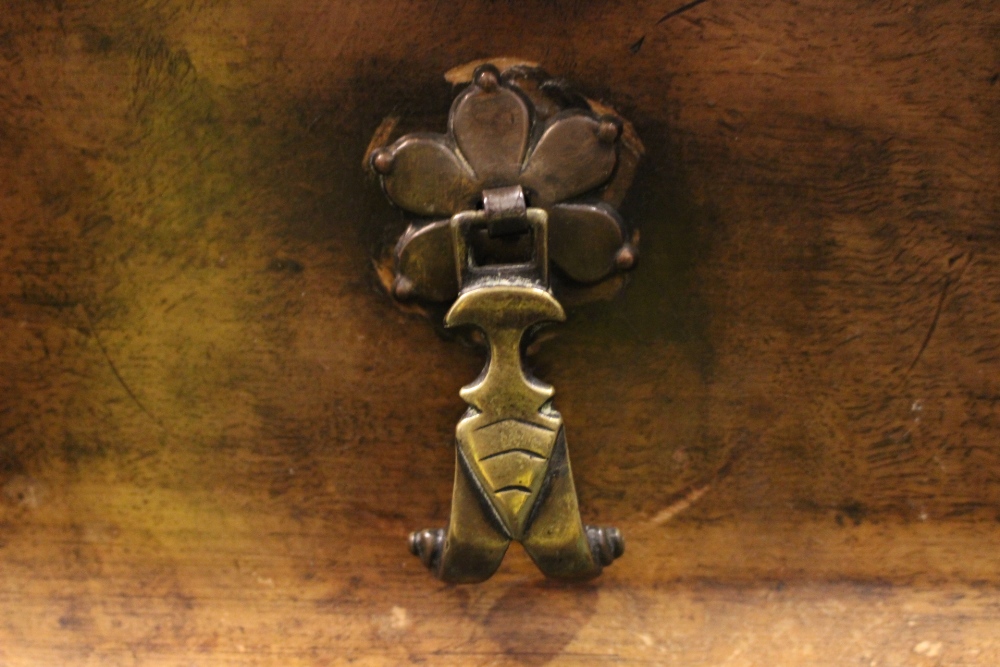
(517, 128)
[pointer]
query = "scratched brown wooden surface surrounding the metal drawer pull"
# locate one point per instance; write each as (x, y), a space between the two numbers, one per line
(216, 430)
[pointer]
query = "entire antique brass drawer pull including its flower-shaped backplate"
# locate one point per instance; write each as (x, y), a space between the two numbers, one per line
(528, 175)
